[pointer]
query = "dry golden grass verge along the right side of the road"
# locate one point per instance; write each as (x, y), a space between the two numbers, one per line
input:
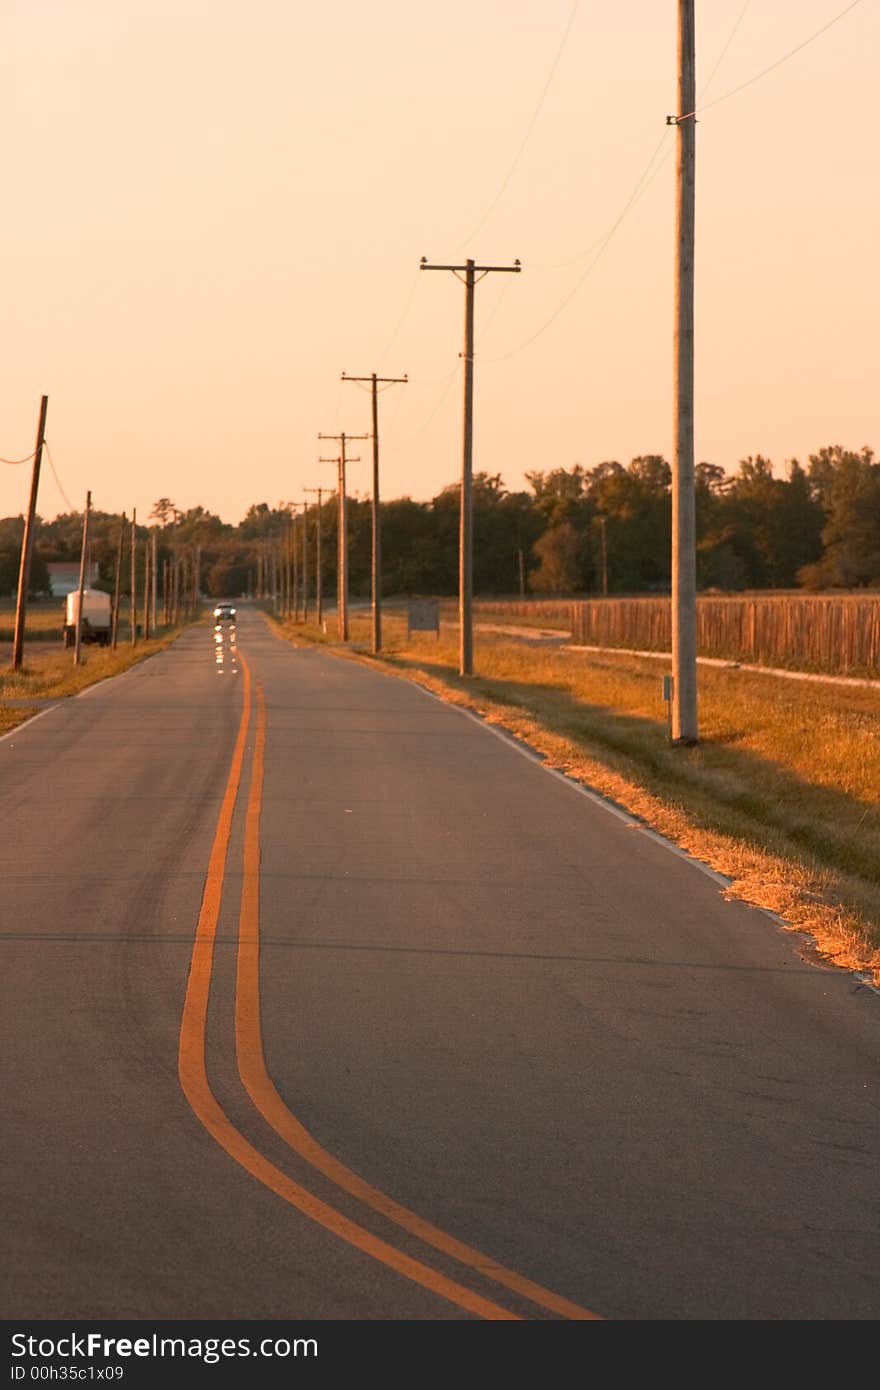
(782, 794)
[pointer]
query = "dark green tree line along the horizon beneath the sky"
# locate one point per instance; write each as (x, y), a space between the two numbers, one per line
(579, 530)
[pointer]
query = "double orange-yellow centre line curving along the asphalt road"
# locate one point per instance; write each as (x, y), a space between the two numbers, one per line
(256, 1081)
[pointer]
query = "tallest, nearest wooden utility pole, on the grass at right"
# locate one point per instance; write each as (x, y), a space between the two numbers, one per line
(685, 523)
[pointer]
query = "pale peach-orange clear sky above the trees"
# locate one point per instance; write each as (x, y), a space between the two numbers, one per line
(213, 211)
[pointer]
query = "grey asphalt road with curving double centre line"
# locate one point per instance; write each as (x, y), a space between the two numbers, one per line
(320, 1000)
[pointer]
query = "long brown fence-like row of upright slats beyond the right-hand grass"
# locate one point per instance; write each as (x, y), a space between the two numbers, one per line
(838, 635)
